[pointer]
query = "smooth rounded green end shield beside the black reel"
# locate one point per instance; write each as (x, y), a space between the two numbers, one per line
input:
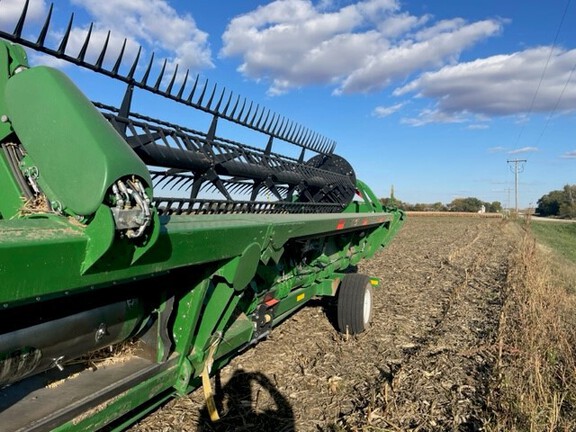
(78, 153)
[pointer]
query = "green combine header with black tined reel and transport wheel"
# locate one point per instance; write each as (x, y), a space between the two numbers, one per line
(118, 228)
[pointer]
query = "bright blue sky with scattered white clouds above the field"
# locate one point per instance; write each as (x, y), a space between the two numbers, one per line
(430, 97)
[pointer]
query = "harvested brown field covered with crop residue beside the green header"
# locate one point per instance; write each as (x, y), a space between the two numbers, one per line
(424, 364)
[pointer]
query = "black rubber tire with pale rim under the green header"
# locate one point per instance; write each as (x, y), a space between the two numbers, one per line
(354, 307)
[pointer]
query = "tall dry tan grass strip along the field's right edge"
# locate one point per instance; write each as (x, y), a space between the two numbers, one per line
(535, 376)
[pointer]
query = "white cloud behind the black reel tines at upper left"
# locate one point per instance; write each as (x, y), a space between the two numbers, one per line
(152, 25)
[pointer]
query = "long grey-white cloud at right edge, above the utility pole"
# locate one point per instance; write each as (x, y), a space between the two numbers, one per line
(502, 84)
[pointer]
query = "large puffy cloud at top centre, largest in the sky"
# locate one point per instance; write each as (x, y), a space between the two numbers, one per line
(361, 47)
